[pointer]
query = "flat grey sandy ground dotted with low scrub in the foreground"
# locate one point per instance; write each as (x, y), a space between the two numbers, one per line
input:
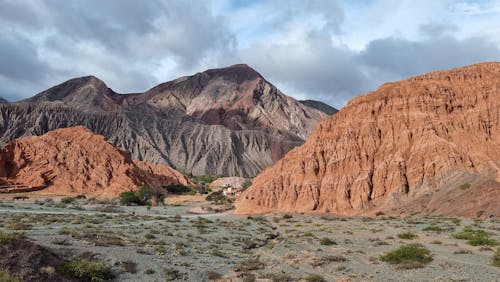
(170, 243)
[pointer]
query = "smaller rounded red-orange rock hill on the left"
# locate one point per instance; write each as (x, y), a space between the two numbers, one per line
(76, 161)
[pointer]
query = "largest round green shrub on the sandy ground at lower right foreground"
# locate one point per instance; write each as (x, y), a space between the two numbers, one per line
(408, 256)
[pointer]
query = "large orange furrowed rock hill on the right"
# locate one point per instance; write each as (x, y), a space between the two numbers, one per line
(410, 144)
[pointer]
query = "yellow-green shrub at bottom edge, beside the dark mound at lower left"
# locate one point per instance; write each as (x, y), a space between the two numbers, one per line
(85, 270)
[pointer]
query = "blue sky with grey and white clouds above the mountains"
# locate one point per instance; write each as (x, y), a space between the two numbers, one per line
(324, 50)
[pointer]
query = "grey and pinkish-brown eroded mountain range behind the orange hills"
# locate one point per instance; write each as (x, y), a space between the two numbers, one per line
(228, 121)
